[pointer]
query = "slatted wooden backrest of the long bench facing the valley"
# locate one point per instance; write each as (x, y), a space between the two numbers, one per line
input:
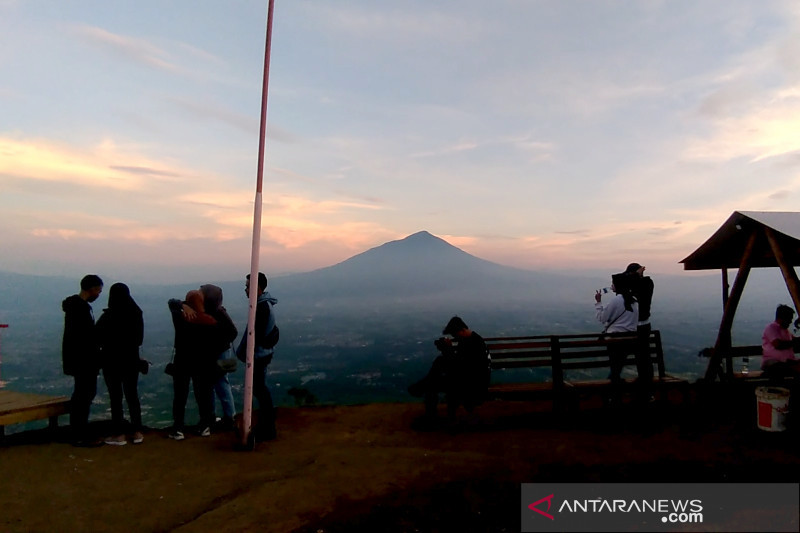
(571, 352)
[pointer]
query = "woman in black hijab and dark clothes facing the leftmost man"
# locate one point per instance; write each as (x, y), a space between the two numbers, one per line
(120, 332)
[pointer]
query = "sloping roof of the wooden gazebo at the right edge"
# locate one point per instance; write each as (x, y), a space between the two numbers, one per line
(726, 247)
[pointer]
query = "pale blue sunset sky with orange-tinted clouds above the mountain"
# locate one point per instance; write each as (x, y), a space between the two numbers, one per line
(544, 135)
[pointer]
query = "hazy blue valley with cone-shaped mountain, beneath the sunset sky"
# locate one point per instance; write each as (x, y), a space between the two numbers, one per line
(362, 330)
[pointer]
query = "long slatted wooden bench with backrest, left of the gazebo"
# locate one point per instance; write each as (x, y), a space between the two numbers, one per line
(572, 360)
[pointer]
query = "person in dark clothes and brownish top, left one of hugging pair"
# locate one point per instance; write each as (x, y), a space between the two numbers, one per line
(197, 343)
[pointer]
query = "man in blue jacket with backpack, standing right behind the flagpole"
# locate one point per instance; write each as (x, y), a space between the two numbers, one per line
(265, 322)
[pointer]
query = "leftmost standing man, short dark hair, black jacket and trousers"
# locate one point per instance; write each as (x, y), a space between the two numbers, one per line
(80, 356)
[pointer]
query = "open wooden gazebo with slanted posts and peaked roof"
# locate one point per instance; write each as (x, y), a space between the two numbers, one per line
(748, 239)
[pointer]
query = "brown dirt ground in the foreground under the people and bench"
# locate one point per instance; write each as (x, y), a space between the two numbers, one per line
(366, 468)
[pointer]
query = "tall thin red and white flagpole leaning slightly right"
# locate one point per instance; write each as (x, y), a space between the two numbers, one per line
(256, 245)
